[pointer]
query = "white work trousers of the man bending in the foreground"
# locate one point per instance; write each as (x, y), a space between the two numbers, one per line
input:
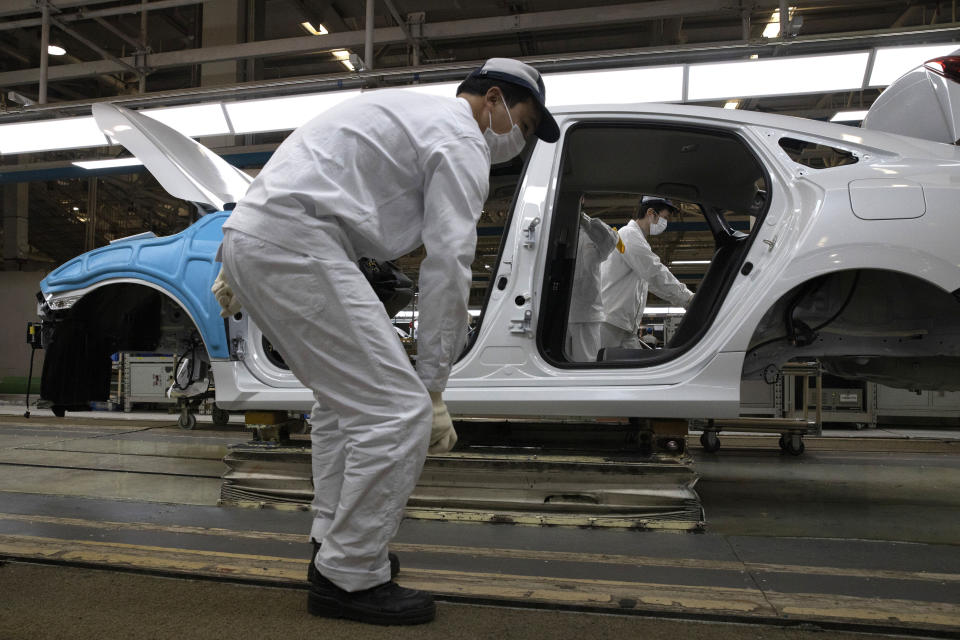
(372, 418)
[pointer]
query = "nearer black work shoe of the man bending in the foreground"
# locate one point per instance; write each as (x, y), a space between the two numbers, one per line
(386, 604)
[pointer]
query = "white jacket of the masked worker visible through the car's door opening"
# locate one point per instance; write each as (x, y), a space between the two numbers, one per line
(627, 277)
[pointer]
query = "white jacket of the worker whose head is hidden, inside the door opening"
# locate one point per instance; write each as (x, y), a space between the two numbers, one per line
(595, 242)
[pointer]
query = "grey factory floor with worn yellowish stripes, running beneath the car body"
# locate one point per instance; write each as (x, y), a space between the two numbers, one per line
(109, 528)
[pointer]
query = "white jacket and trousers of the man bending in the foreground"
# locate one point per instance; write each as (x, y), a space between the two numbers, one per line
(376, 176)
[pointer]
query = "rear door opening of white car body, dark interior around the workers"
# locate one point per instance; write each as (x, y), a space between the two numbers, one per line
(720, 192)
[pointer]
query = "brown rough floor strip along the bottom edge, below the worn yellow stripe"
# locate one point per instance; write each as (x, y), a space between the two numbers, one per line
(46, 602)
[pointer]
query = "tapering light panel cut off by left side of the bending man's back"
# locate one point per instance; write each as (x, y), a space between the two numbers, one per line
(280, 114)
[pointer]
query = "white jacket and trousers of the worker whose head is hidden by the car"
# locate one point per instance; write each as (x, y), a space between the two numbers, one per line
(595, 242)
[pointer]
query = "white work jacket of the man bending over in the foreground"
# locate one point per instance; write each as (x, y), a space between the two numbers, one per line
(393, 169)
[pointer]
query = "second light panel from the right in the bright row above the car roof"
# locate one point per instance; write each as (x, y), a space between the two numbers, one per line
(777, 76)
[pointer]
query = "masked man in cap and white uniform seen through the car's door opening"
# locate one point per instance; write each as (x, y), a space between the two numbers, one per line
(626, 278)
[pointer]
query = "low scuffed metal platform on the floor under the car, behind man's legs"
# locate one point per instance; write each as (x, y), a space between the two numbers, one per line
(655, 493)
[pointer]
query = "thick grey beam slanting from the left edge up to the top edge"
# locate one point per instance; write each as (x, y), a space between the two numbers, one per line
(539, 21)
